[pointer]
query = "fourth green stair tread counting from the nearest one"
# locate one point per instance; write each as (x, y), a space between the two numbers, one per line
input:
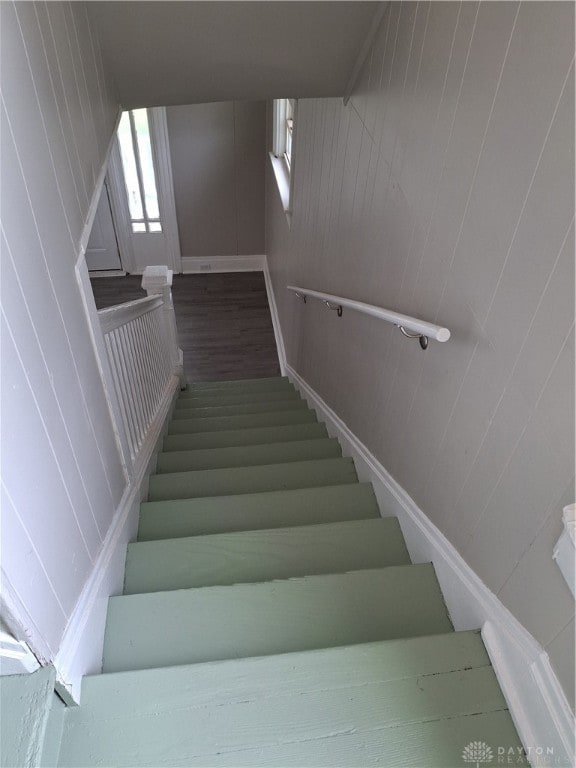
(255, 511)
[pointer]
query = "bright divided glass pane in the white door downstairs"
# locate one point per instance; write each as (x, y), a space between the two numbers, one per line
(139, 173)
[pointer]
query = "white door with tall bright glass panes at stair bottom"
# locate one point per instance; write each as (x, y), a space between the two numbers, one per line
(143, 192)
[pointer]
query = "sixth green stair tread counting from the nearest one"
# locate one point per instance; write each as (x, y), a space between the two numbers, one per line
(248, 455)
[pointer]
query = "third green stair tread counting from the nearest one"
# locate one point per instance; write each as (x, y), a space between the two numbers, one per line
(252, 556)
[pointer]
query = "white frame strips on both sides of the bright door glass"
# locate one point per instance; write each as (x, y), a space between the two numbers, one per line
(165, 185)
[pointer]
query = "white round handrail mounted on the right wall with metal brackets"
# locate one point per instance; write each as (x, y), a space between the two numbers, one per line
(412, 327)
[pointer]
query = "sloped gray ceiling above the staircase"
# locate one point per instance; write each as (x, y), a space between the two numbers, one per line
(165, 53)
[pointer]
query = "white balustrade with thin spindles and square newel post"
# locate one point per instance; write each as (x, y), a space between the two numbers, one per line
(143, 357)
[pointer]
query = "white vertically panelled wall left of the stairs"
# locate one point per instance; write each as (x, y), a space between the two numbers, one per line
(61, 473)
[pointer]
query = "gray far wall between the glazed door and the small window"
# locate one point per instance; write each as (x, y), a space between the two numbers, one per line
(218, 162)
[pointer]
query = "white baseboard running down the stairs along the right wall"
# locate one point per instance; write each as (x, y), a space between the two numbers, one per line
(537, 703)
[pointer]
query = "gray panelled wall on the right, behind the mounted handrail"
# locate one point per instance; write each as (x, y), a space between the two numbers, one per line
(445, 190)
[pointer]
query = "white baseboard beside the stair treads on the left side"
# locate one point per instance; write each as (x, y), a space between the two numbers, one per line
(82, 645)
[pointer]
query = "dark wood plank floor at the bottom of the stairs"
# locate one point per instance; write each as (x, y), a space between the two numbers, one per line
(224, 324)
